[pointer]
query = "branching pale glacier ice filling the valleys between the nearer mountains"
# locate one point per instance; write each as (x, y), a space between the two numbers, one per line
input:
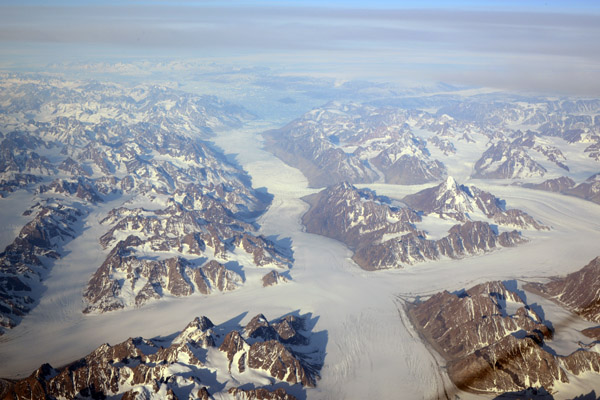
(371, 349)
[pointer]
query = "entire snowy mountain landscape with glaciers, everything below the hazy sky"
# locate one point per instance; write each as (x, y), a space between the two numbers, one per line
(123, 218)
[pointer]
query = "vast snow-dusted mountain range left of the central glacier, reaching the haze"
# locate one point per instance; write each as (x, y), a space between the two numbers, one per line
(72, 146)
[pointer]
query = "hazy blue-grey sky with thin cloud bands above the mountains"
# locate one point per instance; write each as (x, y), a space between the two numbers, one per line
(551, 46)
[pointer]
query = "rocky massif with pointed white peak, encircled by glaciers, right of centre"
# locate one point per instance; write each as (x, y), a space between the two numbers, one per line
(384, 236)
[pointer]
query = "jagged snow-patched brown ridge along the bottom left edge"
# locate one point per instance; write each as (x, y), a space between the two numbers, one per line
(187, 366)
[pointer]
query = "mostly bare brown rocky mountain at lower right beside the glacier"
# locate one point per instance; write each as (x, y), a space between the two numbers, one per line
(493, 342)
